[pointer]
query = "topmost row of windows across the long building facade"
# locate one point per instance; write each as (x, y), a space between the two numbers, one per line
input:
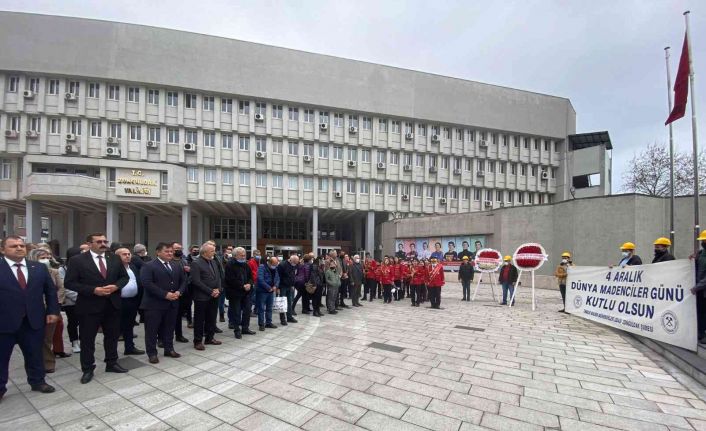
(277, 111)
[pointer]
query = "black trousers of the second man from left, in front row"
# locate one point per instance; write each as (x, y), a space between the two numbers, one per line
(109, 320)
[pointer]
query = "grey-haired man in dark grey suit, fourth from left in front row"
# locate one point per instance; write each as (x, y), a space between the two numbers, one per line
(206, 287)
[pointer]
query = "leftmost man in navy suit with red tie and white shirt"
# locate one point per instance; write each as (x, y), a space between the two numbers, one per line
(29, 302)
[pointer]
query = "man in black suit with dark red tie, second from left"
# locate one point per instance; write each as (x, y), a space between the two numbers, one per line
(97, 277)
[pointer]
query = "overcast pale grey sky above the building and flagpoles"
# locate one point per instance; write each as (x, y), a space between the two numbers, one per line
(607, 57)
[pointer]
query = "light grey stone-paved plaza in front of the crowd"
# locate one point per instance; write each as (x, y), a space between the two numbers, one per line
(469, 366)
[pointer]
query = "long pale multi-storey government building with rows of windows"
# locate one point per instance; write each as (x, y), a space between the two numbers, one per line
(152, 134)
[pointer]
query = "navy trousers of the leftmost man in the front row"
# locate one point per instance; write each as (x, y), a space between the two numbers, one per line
(30, 342)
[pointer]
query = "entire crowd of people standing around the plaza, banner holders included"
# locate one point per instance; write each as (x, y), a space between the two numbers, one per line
(103, 288)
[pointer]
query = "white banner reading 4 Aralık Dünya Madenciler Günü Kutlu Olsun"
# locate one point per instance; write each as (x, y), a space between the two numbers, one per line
(653, 301)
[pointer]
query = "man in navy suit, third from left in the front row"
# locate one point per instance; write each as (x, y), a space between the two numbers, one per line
(163, 284)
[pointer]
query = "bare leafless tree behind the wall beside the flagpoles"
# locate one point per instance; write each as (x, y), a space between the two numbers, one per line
(648, 173)
